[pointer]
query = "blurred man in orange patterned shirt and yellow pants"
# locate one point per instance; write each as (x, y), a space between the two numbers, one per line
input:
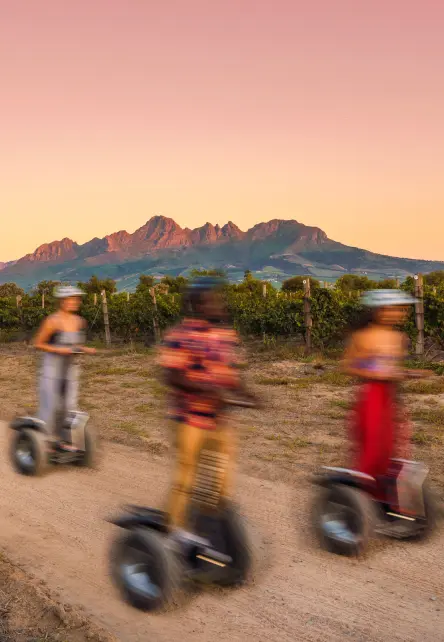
(199, 357)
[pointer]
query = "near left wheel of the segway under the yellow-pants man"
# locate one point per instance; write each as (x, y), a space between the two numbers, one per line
(144, 570)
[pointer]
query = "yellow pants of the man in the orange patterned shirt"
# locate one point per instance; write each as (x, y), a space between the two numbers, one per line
(189, 443)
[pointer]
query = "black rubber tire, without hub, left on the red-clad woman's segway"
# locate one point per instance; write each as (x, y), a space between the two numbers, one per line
(362, 519)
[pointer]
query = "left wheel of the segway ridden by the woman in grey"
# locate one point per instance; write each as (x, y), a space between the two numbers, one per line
(29, 453)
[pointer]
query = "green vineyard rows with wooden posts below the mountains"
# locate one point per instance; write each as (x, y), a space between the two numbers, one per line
(257, 309)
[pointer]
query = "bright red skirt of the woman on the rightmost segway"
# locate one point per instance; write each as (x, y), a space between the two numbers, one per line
(380, 429)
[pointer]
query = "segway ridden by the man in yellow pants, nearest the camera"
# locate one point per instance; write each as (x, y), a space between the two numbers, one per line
(148, 568)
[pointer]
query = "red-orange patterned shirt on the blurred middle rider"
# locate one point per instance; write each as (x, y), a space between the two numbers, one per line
(205, 353)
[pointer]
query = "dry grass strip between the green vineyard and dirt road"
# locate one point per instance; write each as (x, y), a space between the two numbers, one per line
(302, 425)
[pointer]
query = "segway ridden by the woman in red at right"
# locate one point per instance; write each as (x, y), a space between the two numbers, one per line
(352, 507)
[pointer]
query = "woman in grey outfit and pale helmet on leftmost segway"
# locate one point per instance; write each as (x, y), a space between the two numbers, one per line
(61, 336)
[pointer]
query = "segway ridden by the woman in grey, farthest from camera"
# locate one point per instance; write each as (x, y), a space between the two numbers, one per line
(34, 448)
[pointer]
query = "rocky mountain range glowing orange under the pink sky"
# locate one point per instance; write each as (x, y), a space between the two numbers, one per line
(274, 250)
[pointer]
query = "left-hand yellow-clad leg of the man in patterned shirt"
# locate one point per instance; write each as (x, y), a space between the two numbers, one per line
(189, 442)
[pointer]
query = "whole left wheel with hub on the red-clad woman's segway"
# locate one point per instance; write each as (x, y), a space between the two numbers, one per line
(343, 520)
